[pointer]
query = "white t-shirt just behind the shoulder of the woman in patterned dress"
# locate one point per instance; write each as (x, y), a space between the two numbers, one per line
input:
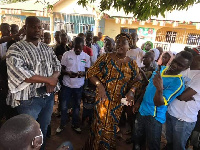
(137, 55)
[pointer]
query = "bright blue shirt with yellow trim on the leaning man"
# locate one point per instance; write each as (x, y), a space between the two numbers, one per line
(173, 86)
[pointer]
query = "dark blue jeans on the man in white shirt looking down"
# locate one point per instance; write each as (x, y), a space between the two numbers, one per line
(67, 94)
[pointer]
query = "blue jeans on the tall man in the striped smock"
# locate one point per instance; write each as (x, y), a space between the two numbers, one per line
(40, 109)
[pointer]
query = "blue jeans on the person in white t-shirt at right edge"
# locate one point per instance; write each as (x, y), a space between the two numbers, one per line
(178, 132)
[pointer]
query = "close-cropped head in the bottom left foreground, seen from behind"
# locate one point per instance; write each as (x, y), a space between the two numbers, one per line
(18, 132)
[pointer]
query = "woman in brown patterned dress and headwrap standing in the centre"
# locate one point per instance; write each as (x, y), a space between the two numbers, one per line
(116, 76)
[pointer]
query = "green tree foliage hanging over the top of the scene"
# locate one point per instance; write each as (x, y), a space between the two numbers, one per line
(142, 9)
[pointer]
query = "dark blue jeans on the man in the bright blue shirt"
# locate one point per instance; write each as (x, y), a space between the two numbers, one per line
(147, 128)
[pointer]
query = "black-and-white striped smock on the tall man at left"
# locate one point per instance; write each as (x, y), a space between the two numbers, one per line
(25, 60)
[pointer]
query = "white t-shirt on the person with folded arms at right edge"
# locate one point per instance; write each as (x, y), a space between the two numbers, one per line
(188, 111)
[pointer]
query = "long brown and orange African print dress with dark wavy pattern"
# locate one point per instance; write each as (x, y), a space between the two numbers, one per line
(117, 81)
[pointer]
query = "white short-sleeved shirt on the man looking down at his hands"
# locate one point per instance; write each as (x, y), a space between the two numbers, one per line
(75, 63)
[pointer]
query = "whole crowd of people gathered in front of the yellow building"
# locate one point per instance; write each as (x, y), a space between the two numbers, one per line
(155, 91)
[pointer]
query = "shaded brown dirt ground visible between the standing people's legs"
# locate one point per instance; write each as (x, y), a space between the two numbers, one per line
(78, 140)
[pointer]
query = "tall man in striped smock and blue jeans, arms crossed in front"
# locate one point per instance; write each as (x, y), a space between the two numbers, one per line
(33, 71)
